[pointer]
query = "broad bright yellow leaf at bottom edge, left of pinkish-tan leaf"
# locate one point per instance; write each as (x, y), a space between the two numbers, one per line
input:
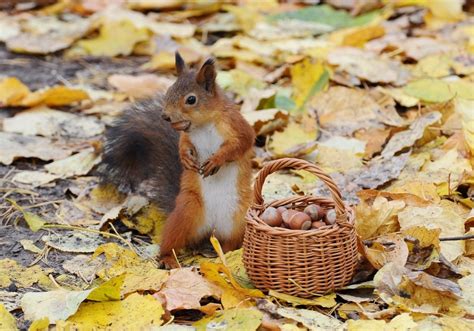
(136, 312)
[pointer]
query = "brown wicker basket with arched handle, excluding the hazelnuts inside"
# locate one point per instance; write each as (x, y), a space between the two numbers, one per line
(299, 262)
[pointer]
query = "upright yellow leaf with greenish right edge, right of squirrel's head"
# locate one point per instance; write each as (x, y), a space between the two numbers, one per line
(307, 79)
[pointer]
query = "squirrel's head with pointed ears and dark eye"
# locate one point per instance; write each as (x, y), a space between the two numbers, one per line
(191, 100)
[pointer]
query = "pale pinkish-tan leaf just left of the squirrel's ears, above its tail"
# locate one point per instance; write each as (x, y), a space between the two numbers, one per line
(140, 86)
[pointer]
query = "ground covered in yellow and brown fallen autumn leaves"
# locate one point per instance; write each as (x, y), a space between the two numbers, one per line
(382, 101)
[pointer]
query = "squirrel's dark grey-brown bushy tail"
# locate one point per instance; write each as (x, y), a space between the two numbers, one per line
(141, 154)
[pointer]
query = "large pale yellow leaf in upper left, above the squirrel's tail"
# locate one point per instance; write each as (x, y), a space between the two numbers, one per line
(115, 38)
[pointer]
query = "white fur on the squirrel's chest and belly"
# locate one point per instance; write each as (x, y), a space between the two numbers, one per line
(219, 191)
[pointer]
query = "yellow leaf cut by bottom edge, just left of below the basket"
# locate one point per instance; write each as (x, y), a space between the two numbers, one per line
(247, 319)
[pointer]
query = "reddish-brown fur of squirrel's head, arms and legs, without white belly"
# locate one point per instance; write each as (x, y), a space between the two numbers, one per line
(212, 106)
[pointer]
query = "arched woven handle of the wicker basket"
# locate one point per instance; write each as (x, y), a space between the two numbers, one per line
(298, 164)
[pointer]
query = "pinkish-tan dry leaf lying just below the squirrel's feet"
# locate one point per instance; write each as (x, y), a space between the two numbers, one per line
(185, 288)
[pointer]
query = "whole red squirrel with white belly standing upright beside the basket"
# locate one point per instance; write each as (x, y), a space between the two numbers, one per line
(191, 151)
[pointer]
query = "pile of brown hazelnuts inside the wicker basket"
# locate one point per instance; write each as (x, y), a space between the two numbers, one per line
(313, 217)
